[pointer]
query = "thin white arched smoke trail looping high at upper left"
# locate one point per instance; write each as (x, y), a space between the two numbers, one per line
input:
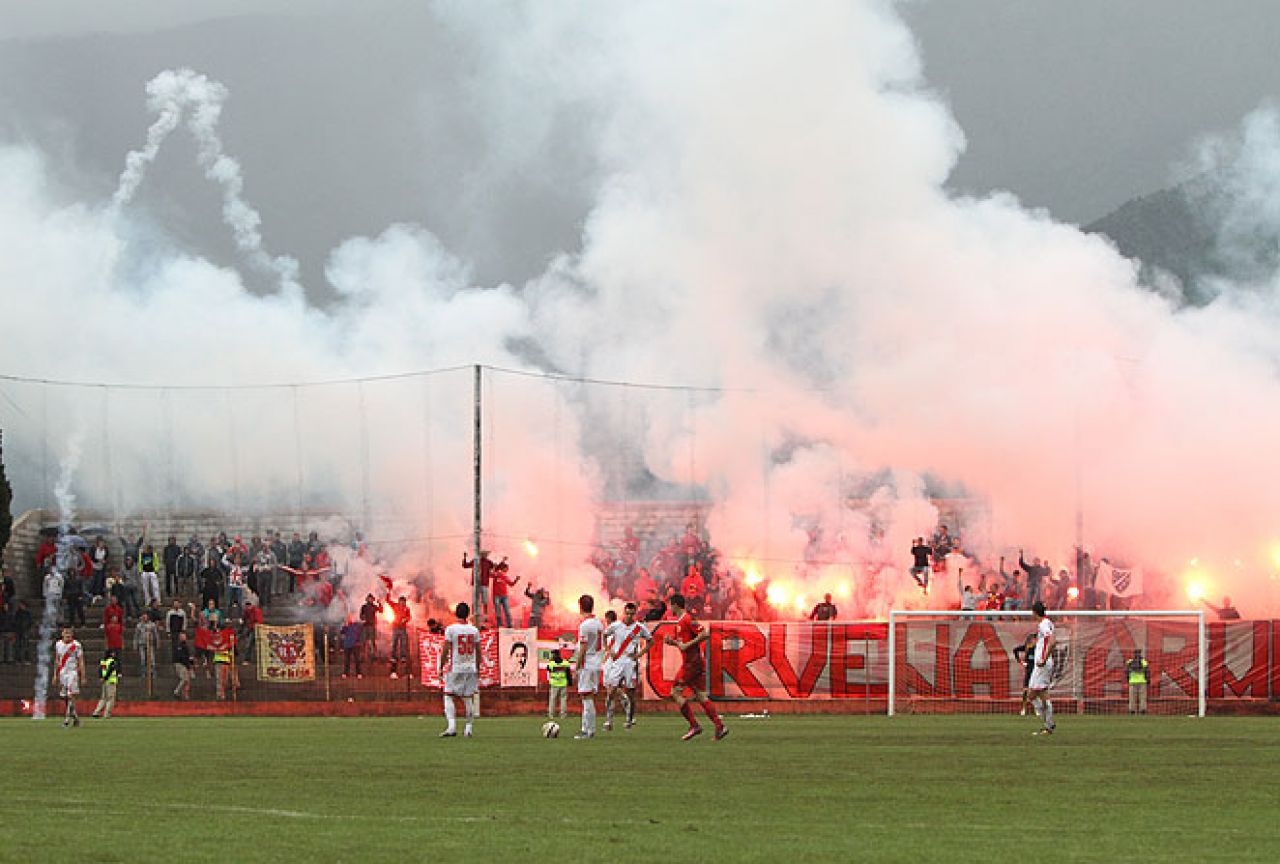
(173, 95)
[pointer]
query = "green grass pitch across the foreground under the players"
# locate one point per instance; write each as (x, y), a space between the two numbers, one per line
(842, 789)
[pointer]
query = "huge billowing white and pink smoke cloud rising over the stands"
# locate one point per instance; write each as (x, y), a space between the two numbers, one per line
(771, 220)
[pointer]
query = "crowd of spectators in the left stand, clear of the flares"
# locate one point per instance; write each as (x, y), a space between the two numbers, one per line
(217, 593)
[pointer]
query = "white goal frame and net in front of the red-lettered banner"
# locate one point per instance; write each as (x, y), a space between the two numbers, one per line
(963, 662)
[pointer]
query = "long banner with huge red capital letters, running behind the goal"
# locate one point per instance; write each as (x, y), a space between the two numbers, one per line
(972, 660)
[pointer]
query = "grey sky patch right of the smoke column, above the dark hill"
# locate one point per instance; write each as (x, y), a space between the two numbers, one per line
(1081, 106)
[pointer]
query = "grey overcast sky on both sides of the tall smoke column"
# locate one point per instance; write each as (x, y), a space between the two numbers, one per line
(1075, 107)
